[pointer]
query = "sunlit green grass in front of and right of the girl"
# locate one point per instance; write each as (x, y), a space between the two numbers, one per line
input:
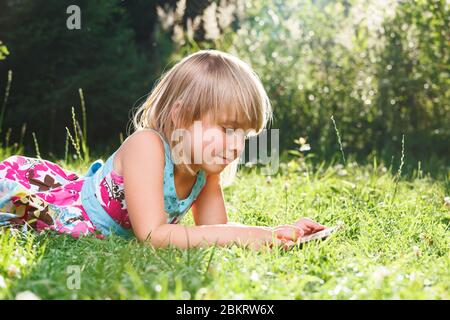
(391, 247)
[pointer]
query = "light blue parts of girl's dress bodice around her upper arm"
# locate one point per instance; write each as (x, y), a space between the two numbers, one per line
(175, 208)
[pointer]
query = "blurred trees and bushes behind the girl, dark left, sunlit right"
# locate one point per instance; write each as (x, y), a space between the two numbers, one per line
(379, 68)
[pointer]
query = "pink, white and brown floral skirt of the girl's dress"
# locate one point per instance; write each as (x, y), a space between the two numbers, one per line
(39, 194)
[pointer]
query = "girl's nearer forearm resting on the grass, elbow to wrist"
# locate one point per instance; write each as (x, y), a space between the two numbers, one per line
(208, 235)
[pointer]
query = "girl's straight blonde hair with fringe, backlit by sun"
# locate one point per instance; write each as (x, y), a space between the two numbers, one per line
(207, 82)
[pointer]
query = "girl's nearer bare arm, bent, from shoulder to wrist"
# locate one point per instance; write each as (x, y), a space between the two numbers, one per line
(143, 171)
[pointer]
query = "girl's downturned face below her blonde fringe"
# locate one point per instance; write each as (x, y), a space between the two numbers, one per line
(215, 144)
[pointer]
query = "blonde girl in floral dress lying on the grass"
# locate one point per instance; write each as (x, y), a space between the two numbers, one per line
(191, 127)
